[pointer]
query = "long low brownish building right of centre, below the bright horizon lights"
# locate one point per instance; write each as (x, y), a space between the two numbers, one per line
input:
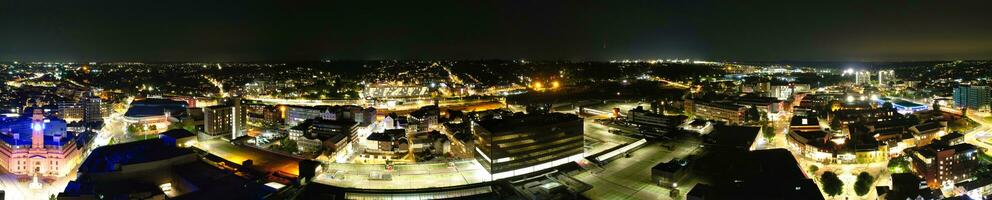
(730, 113)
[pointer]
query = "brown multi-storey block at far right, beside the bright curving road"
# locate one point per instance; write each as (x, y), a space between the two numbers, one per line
(941, 164)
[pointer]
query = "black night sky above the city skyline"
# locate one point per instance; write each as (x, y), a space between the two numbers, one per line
(287, 30)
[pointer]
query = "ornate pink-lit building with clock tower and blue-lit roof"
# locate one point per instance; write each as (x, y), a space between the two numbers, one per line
(39, 145)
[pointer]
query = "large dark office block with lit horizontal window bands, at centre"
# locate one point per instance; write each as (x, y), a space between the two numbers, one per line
(525, 143)
